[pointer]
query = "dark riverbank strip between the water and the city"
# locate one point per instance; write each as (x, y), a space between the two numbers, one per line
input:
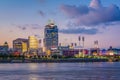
(53, 60)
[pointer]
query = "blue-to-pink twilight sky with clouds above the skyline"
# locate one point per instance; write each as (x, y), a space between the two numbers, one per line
(93, 19)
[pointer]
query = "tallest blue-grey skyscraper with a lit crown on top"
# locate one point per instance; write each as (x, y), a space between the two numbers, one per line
(51, 36)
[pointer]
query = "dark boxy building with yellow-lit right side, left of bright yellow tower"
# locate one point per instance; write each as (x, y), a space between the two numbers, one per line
(20, 45)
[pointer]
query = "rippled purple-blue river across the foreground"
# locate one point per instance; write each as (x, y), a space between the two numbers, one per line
(60, 71)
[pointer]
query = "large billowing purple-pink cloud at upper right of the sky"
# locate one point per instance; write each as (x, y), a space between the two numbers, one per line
(94, 14)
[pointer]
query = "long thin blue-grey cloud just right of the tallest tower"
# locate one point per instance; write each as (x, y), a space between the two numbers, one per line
(91, 31)
